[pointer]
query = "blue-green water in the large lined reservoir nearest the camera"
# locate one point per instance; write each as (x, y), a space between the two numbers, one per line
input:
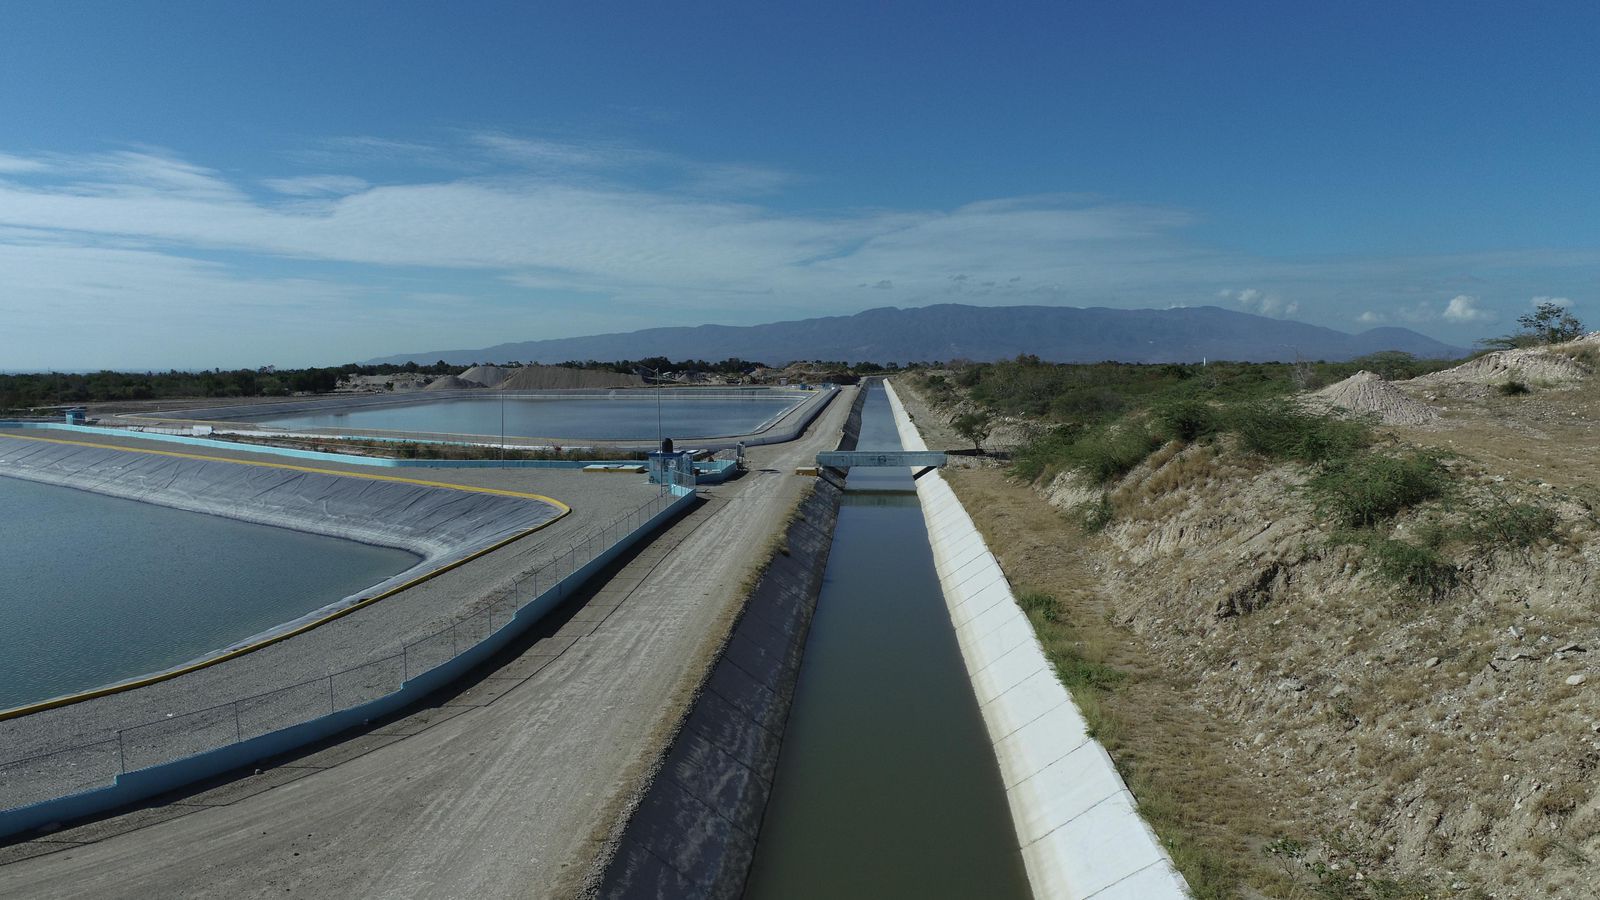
(97, 589)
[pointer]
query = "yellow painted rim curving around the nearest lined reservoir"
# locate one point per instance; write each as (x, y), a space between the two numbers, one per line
(71, 699)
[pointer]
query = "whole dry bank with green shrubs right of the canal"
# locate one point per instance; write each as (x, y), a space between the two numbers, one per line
(1332, 659)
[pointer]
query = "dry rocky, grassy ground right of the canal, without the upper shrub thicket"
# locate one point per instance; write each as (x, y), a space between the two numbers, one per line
(1327, 733)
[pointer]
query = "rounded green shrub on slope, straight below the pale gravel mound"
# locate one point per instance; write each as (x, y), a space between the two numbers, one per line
(1369, 488)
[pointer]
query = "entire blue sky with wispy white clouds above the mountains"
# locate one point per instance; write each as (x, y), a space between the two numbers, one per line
(193, 185)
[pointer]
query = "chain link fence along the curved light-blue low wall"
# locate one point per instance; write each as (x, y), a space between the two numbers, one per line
(98, 763)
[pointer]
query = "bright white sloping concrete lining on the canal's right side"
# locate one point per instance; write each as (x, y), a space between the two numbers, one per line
(1078, 824)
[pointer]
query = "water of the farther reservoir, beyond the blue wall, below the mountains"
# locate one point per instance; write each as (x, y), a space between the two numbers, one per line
(625, 417)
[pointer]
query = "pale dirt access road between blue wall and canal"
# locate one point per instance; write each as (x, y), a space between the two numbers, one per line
(502, 790)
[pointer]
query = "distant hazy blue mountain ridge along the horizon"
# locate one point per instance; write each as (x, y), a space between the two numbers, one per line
(1055, 334)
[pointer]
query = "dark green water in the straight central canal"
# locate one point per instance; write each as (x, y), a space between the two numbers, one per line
(887, 785)
